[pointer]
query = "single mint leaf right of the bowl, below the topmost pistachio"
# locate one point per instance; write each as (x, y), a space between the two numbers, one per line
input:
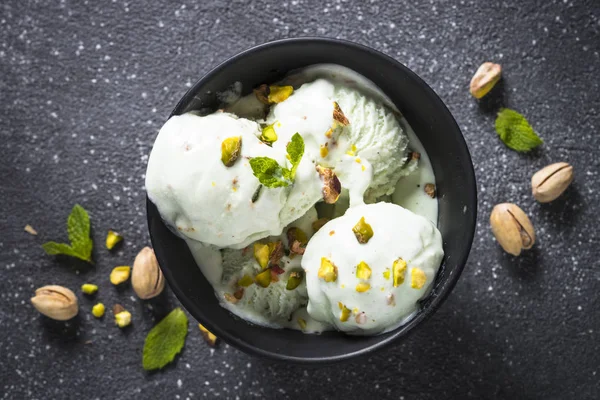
(515, 131)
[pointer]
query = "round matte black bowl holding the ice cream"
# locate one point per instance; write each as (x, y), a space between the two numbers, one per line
(439, 134)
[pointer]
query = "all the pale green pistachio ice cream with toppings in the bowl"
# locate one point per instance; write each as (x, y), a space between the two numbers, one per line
(267, 193)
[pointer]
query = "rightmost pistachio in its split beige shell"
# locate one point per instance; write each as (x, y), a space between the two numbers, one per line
(551, 181)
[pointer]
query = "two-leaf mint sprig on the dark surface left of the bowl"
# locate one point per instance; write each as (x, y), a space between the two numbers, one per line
(78, 228)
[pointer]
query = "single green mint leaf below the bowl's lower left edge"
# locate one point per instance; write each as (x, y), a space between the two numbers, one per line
(165, 340)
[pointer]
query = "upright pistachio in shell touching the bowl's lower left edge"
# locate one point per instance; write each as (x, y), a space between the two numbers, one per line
(147, 278)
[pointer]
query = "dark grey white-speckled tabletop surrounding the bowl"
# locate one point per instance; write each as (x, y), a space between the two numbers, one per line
(84, 87)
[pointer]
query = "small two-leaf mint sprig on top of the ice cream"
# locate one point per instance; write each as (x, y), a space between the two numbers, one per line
(273, 175)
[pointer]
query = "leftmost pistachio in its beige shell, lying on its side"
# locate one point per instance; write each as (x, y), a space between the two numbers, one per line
(56, 302)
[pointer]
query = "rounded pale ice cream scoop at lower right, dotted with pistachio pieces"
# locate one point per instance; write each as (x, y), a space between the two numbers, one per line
(366, 271)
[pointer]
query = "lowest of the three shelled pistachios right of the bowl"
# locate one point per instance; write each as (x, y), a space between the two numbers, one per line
(512, 228)
